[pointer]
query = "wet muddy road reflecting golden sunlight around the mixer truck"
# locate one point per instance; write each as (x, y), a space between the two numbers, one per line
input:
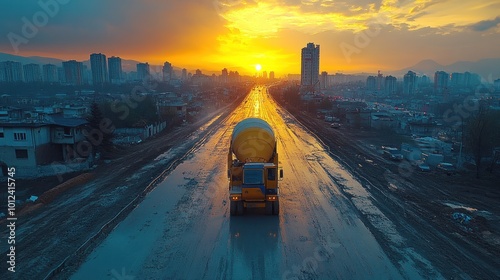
(183, 230)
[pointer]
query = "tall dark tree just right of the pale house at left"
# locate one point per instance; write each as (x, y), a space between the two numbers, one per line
(94, 120)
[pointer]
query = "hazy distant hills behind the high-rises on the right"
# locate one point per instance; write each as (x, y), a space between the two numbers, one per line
(488, 69)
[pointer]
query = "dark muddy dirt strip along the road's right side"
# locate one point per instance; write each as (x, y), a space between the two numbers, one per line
(426, 207)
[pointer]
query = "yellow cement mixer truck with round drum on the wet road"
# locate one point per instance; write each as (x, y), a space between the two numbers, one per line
(253, 168)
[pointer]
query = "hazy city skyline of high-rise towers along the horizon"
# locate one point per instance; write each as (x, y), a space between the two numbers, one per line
(15, 71)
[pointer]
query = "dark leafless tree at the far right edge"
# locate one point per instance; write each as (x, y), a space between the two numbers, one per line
(481, 135)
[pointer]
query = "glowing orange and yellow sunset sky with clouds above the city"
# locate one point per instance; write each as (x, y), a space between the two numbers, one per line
(354, 35)
